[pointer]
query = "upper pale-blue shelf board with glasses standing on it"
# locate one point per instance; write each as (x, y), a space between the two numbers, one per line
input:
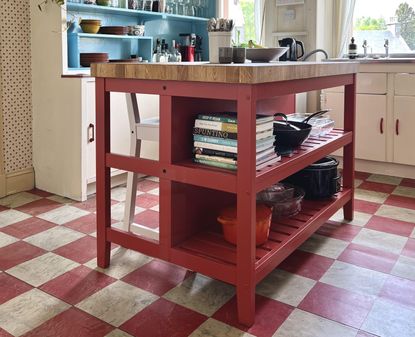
(144, 15)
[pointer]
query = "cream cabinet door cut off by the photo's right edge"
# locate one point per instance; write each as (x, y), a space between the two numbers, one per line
(404, 123)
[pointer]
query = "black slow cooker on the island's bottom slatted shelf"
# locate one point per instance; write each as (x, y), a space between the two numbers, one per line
(319, 180)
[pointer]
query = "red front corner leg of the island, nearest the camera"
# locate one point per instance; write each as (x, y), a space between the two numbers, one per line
(246, 206)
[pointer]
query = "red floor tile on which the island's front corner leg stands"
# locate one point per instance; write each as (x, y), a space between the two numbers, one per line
(270, 314)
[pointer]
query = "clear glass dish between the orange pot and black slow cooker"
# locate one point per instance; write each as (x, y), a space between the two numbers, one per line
(285, 199)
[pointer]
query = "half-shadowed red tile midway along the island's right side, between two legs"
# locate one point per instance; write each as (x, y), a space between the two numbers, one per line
(306, 264)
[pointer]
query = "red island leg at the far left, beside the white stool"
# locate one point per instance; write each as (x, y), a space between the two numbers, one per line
(103, 183)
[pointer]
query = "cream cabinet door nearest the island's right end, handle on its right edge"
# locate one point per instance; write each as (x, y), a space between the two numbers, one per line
(371, 127)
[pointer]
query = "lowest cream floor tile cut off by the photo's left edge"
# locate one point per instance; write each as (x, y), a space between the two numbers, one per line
(29, 310)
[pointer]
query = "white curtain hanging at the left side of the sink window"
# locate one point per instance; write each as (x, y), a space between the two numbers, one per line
(342, 24)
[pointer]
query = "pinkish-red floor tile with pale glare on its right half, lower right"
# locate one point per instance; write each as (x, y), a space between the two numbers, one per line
(337, 304)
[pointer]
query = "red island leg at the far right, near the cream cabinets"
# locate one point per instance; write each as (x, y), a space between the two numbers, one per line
(349, 150)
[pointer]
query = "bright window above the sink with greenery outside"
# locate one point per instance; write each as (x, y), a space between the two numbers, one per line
(375, 21)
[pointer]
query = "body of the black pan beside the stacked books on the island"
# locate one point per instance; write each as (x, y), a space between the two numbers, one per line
(290, 134)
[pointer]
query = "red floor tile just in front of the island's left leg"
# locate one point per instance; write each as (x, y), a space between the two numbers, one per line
(77, 284)
